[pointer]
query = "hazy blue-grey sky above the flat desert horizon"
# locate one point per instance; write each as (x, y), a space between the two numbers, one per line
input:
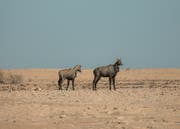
(63, 33)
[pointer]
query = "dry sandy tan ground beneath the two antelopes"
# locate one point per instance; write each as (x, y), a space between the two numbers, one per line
(144, 99)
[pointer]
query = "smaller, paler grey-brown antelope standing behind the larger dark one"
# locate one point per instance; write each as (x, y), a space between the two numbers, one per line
(69, 74)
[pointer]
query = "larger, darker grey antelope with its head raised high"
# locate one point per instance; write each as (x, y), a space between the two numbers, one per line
(107, 71)
